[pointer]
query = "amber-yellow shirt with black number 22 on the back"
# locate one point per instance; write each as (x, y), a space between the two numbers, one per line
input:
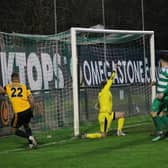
(18, 96)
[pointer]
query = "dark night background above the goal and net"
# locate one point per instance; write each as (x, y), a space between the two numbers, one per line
(37, 16)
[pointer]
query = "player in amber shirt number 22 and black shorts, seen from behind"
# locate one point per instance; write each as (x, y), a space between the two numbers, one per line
(22, 103)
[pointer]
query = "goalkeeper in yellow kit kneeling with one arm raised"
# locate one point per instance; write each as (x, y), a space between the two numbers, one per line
(106, 115)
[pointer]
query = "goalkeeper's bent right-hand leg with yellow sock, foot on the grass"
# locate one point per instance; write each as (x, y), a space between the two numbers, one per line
(120, 119)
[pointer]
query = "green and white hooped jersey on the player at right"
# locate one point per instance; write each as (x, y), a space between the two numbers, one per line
(162, 83)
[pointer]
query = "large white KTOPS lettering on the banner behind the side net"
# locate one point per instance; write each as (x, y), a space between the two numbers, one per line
(40, 71)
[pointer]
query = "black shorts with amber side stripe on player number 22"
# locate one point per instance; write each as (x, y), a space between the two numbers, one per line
(21, 118)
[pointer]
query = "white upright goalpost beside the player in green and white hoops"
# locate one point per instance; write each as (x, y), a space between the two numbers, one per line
(152, 57)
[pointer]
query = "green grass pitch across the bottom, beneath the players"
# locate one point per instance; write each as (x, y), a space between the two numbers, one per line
(136, 150)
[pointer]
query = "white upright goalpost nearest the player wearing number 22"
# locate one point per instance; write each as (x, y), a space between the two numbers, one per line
(75, 82)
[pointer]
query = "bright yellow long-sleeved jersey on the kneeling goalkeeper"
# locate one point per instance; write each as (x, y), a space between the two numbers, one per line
(105, 96)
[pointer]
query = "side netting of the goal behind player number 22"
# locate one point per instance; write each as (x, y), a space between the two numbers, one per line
(44, 65)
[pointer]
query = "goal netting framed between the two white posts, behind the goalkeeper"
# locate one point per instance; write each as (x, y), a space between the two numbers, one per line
(97, 55)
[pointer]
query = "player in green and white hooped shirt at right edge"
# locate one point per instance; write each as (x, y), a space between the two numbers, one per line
(160, 103)
